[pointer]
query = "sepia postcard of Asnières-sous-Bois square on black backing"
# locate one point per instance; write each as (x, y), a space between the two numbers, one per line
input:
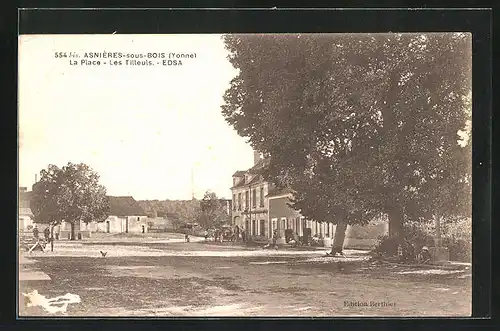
(251, 175)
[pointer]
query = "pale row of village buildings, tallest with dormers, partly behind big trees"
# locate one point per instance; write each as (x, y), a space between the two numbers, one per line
(260, 208)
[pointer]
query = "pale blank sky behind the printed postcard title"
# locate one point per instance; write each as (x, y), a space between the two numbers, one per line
(144, 129)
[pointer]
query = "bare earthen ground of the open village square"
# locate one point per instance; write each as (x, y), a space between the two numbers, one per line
(196, 279)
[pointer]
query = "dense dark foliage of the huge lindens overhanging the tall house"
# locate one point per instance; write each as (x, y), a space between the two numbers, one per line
(358, 124)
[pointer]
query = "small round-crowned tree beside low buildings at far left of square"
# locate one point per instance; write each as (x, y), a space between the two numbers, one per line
(71, 194)
